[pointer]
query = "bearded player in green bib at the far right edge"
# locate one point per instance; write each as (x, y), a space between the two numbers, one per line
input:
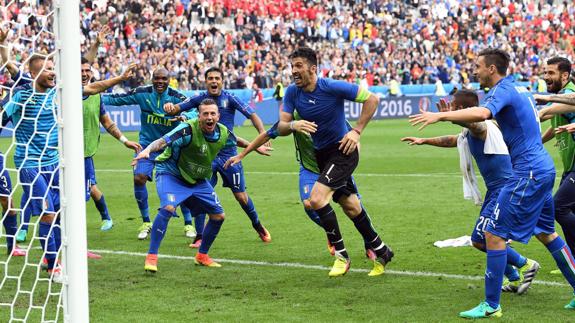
(557, 77)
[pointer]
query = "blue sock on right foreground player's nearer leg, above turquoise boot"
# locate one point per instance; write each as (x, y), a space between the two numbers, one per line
(496, 261)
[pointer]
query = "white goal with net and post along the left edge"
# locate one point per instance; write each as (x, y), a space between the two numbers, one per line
(43, 267)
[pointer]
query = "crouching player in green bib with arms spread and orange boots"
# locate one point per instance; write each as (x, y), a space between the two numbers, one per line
(181, 177)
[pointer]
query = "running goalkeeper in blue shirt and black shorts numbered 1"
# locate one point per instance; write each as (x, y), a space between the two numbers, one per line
(320, 103)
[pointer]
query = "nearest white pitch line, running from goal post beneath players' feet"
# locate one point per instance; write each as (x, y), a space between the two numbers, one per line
(317, 267)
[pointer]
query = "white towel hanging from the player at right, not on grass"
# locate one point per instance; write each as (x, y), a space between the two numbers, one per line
(470, 186)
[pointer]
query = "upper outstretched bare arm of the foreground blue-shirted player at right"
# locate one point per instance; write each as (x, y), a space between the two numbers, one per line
(468, 115)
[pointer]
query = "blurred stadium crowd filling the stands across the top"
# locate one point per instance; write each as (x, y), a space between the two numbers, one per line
(373, 41)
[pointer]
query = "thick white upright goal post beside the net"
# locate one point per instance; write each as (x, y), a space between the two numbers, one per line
(72, 198)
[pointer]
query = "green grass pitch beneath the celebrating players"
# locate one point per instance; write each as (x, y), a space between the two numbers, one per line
(414, 197)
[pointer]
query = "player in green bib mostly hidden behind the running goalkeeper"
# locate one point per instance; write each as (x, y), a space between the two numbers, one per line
(308, 172)
